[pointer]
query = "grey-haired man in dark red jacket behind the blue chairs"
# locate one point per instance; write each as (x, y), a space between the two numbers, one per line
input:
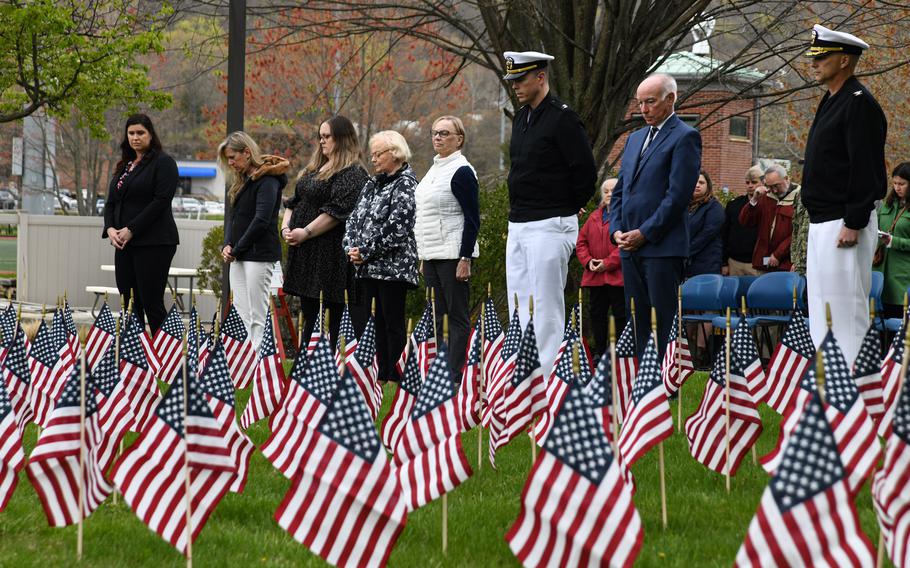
(771, 210)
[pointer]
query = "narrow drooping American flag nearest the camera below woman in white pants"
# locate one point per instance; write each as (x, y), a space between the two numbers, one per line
(215, 384)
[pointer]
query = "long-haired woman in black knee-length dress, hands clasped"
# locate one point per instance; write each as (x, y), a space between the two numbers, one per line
(326, 193)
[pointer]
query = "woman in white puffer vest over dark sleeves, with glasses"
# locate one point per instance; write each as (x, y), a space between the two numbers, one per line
(448, 220)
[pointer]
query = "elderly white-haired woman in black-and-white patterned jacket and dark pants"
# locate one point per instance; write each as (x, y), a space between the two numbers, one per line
(379, 240)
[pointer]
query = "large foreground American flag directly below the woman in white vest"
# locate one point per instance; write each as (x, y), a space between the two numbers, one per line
(429, 457)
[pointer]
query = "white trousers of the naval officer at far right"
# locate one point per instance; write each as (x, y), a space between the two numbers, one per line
(841, 278)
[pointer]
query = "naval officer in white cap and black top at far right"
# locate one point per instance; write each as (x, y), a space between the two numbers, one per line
(844, 176)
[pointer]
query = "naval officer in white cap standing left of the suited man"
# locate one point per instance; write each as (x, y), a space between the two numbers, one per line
(552, 176)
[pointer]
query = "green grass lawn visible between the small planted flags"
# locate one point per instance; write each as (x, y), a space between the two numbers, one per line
(706, 525)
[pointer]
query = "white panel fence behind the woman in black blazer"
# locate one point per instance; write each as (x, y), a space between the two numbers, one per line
(58, 253)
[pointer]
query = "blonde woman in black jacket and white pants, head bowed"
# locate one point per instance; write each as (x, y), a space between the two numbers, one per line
(251, 243)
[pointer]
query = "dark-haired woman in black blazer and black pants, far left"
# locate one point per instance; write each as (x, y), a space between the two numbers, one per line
(138, 219)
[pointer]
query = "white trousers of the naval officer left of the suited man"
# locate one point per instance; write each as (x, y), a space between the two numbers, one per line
(537, 263)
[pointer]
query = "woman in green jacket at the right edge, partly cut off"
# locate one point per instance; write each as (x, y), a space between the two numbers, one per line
(894, 234)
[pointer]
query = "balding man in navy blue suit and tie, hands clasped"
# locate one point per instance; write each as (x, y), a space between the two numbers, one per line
(660, 166)
